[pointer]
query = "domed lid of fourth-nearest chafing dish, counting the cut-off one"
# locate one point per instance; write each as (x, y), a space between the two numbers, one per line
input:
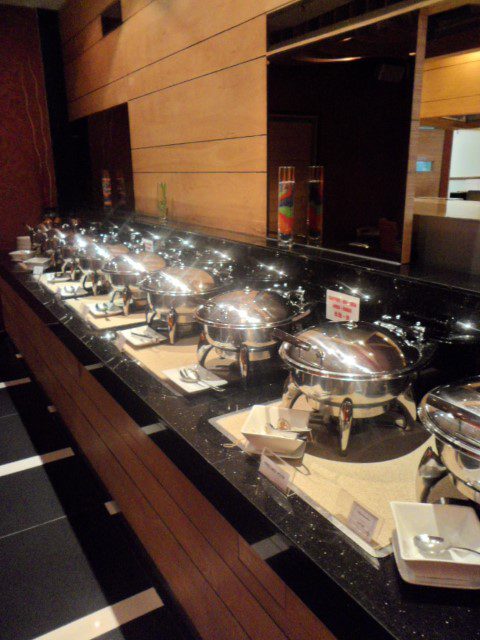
(179, 280)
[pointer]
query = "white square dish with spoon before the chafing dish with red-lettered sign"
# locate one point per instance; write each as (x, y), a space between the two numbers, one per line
(283, 443)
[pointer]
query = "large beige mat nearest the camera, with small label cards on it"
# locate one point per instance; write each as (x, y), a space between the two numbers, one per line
(331, 487)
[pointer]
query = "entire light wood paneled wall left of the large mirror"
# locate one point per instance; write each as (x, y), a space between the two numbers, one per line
(194, 77)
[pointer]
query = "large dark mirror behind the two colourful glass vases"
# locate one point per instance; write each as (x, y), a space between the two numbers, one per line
(344, 103)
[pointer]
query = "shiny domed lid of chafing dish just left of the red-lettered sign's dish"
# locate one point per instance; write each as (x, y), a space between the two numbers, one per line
(245, 308)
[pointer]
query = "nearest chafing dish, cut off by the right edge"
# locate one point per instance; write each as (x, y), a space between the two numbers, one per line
(452, 414)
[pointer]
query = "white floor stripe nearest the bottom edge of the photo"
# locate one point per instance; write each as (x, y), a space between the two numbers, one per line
(107, 619)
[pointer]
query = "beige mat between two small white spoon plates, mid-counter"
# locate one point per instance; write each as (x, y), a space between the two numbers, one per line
(164, 356)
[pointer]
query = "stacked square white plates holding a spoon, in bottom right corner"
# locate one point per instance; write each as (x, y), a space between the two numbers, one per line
(453, 568)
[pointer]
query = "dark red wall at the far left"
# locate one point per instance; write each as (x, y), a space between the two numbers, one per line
(27, 180)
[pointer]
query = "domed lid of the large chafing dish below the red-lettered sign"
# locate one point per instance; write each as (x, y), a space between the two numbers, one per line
(353, 351)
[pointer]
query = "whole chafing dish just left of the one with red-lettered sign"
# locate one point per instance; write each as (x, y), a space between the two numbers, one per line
(240, 325)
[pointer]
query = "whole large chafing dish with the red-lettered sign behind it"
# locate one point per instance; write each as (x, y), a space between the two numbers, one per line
(353, 370)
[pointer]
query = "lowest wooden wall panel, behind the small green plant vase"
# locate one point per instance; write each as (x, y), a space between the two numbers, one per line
(230, 201)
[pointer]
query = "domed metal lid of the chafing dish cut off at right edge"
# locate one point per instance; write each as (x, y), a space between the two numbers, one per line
(452, 413)
